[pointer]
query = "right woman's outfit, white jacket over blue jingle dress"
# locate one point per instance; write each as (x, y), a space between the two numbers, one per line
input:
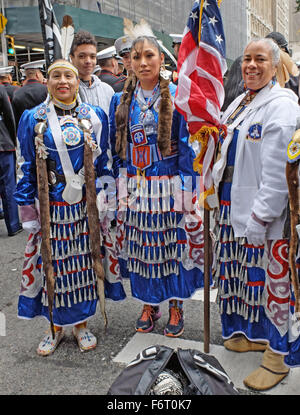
(255, 296)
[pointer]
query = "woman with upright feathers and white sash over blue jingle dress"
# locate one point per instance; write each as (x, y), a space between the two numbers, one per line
(62, 139)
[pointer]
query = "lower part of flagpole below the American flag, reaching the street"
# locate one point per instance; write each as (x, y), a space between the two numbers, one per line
(207, 264)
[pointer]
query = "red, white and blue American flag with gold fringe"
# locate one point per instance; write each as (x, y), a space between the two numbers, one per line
(200, 92)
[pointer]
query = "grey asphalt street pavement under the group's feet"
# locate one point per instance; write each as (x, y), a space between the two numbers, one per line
(70, 372)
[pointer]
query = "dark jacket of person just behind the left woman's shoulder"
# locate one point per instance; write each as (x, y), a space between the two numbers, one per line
(28, 96)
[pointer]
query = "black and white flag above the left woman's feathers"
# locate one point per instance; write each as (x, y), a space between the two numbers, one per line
(50, 31)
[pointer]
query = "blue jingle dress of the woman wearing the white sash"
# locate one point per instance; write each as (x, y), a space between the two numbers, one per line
(75, 297)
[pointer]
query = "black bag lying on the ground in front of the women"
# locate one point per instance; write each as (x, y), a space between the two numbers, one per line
(160, 370)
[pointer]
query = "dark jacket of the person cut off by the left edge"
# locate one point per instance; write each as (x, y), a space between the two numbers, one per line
(7, 123)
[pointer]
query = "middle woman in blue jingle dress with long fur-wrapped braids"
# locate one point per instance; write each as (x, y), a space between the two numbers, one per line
(160, 235)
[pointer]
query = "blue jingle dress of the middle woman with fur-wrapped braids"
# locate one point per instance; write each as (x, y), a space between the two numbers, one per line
(160, 246)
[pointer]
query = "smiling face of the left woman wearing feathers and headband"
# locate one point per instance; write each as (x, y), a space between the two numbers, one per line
(63, 84)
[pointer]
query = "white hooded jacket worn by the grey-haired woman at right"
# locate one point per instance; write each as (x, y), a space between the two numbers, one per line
(259, 181)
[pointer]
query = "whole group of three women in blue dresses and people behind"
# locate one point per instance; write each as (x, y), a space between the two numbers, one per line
(107, 191)
